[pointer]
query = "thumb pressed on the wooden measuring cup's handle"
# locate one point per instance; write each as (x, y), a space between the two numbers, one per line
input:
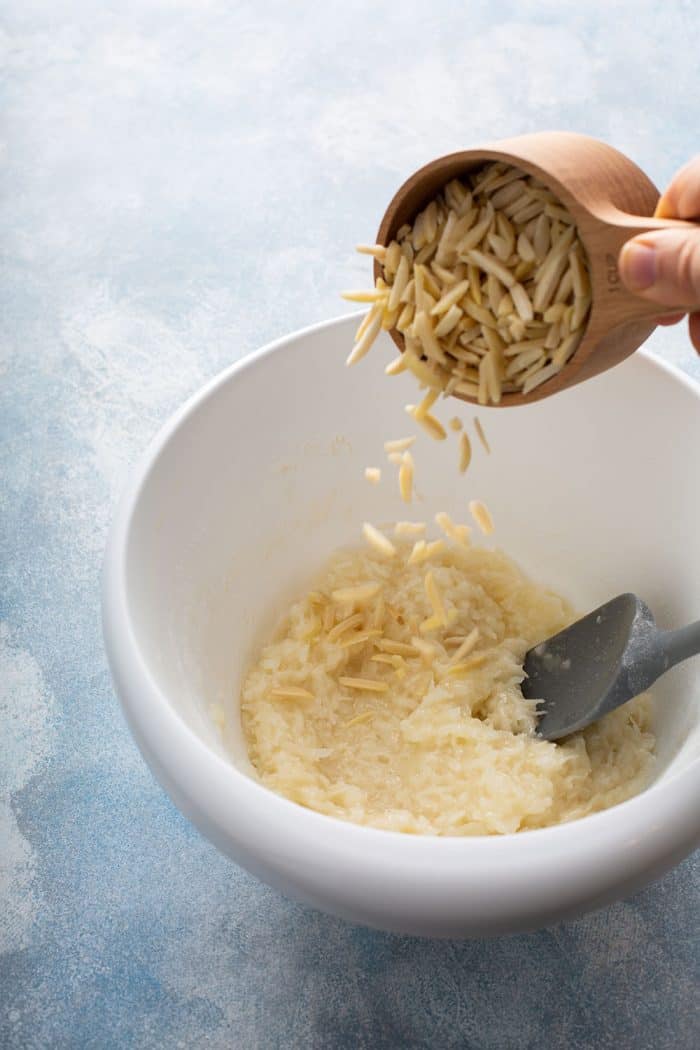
(664, 266)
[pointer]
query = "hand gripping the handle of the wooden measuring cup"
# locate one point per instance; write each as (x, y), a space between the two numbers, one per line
(665, 265)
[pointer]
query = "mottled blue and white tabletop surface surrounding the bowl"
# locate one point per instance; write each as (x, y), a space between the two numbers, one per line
(183, 181)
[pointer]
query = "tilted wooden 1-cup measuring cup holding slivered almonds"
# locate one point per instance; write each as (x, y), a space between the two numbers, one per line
(611, 201)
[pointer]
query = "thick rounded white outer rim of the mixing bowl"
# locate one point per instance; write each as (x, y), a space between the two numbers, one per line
(663, 821)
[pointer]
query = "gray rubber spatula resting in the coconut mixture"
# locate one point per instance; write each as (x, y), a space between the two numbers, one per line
(601, 663)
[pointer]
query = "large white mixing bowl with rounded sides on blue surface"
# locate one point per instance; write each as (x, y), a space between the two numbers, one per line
(261, 477)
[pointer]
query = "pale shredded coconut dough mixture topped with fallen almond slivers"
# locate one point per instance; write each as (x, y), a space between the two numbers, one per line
(391, 697)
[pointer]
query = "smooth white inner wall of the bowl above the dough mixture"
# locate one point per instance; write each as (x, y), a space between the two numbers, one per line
(262, 478)
